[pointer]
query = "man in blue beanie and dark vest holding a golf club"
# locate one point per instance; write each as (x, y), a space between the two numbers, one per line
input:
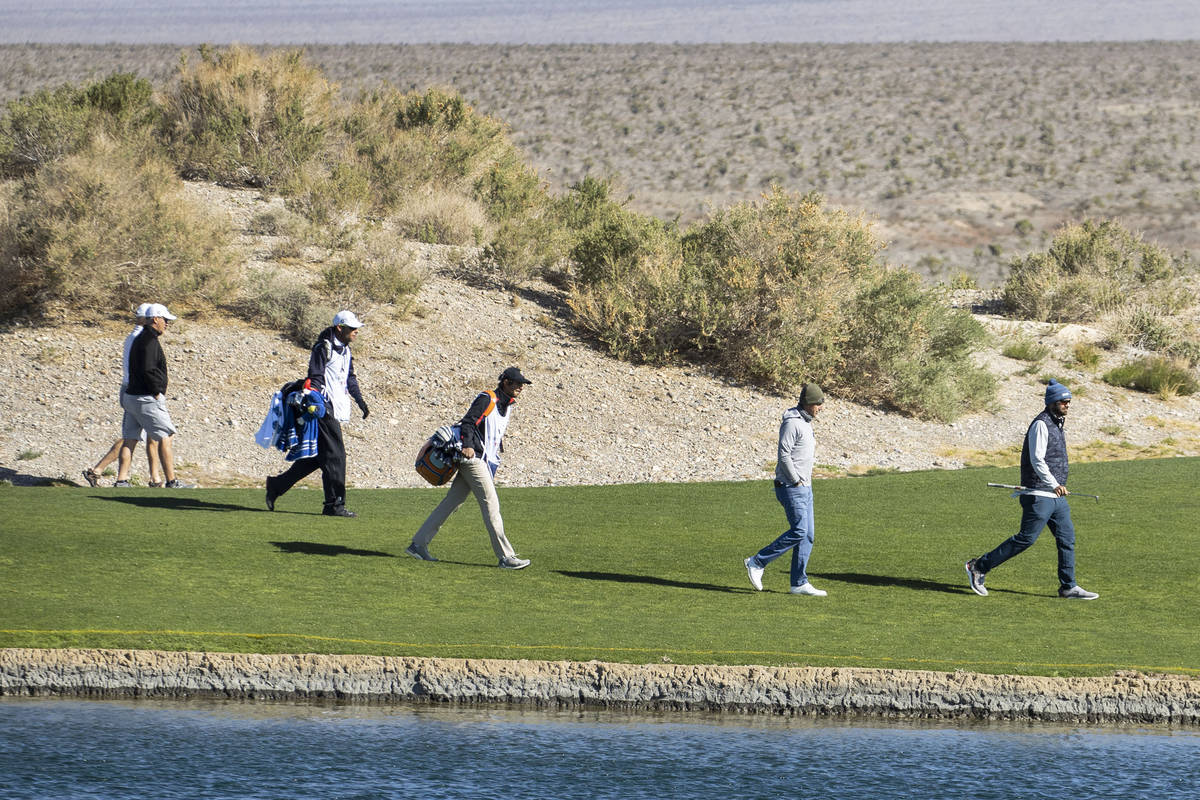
(1043, 500)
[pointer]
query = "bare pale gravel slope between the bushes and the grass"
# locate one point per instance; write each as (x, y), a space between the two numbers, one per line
(587, 419)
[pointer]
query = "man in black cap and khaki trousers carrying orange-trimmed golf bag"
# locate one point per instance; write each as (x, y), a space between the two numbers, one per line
(482, 431)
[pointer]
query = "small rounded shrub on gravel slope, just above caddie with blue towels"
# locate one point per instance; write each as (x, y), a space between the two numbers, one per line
(382, 269)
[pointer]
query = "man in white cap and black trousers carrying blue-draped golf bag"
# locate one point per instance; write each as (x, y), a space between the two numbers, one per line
(332, 374)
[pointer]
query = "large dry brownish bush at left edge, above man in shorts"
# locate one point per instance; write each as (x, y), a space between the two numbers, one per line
(109, 227)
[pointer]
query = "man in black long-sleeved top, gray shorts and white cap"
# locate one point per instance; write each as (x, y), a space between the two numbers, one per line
(146, 395)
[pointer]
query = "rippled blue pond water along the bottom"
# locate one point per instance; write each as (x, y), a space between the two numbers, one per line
(107, 749)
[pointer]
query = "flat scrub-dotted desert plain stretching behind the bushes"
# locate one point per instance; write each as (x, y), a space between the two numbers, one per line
(965, 154)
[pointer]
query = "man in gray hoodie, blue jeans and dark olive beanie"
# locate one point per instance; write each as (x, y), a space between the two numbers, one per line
(794, 490)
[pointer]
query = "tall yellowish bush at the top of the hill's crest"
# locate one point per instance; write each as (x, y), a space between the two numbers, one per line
(237, 117)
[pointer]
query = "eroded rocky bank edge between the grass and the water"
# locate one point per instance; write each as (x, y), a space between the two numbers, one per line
(801, 691)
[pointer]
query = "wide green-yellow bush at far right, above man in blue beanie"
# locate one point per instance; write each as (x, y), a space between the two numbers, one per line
(1093, 269)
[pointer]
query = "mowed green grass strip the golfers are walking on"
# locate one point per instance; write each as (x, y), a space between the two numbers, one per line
(637, 574)
